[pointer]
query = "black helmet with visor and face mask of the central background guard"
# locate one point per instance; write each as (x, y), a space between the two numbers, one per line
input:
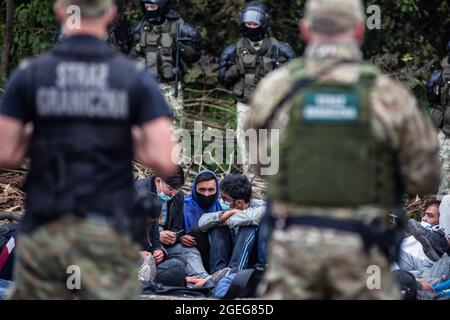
(254, 12)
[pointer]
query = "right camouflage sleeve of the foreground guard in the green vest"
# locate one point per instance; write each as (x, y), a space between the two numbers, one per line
(399, 120)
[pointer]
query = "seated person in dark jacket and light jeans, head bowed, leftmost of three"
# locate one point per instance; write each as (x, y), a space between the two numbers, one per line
(171, 224)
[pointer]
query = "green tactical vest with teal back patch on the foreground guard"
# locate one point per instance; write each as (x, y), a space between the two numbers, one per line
(329, 155)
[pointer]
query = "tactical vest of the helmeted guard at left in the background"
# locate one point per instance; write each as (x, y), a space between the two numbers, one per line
(157, 45)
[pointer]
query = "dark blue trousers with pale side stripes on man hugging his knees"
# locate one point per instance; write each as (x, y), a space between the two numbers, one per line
(228, 250)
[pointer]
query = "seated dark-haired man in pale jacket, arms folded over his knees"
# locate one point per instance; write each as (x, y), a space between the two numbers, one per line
(232, 231)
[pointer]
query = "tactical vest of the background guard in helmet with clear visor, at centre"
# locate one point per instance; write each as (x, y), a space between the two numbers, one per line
(254, 67)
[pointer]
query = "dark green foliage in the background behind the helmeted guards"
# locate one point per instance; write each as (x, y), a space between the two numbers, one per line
(410, 43)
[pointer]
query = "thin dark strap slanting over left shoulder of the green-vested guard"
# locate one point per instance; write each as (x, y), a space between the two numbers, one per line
(298, 85)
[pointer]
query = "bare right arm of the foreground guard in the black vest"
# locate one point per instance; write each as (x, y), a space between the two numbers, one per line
(154, 146)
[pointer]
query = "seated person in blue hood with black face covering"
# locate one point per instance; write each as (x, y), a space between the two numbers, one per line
(205, 197)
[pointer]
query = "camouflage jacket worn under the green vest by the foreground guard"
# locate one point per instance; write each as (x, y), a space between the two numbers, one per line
(396, 119)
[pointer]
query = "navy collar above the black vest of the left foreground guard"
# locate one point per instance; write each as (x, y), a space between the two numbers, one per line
(83, 44)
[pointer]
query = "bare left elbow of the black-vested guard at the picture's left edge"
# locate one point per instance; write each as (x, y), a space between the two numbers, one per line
(14, 139)
